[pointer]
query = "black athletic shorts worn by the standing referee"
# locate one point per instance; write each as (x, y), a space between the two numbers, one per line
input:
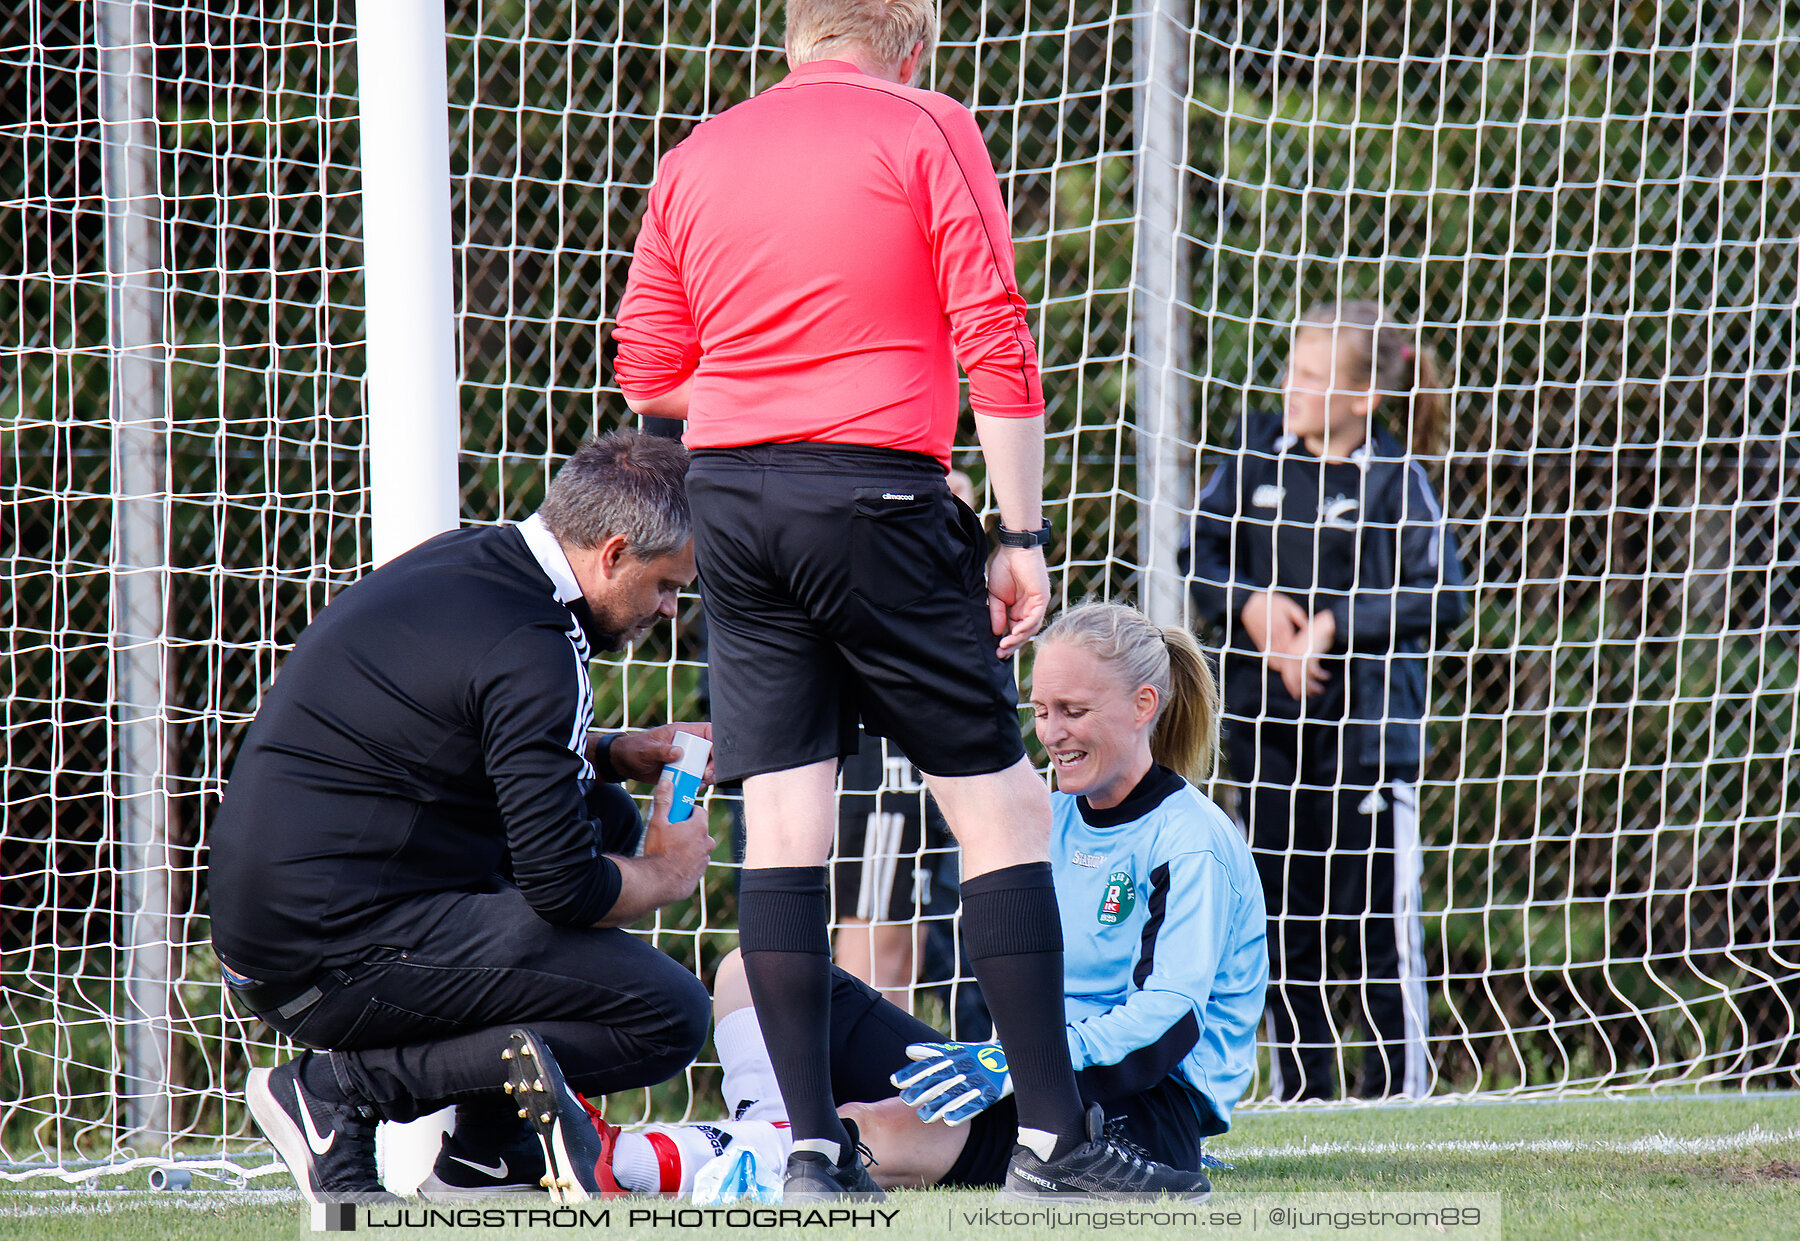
(847, 584)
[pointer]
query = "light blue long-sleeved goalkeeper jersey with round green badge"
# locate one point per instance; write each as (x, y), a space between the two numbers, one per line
(1165, 938)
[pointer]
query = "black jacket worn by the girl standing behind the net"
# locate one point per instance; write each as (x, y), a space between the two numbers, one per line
(1365, 539)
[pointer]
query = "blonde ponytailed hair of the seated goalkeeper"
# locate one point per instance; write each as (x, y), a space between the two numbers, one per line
(1185, 734)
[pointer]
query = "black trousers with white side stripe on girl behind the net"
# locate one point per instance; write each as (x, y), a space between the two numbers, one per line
(1324, 837)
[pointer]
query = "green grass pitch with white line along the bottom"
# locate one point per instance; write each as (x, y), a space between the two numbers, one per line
(1563, 1172)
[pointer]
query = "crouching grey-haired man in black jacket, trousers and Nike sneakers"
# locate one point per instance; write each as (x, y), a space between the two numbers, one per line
(424, 860)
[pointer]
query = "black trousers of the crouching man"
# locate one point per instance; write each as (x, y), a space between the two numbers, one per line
(417, 1029)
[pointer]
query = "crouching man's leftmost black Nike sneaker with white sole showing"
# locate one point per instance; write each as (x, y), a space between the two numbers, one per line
(327, 1146)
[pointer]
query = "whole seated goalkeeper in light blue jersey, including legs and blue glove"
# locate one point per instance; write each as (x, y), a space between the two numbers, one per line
(1162, 918)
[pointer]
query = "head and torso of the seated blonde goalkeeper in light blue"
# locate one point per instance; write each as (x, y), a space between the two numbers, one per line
(1164, 918)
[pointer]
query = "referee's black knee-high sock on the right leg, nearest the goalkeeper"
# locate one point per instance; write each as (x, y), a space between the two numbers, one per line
(1014, 938)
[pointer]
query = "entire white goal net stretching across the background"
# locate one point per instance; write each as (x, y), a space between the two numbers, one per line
(1588, 210)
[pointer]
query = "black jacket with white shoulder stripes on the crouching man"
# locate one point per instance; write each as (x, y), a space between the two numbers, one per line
(426, 738)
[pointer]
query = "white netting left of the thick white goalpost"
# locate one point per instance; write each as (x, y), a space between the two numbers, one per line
(183, 556)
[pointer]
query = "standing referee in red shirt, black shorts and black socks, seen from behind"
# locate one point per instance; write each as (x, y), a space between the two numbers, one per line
(809, 273)
